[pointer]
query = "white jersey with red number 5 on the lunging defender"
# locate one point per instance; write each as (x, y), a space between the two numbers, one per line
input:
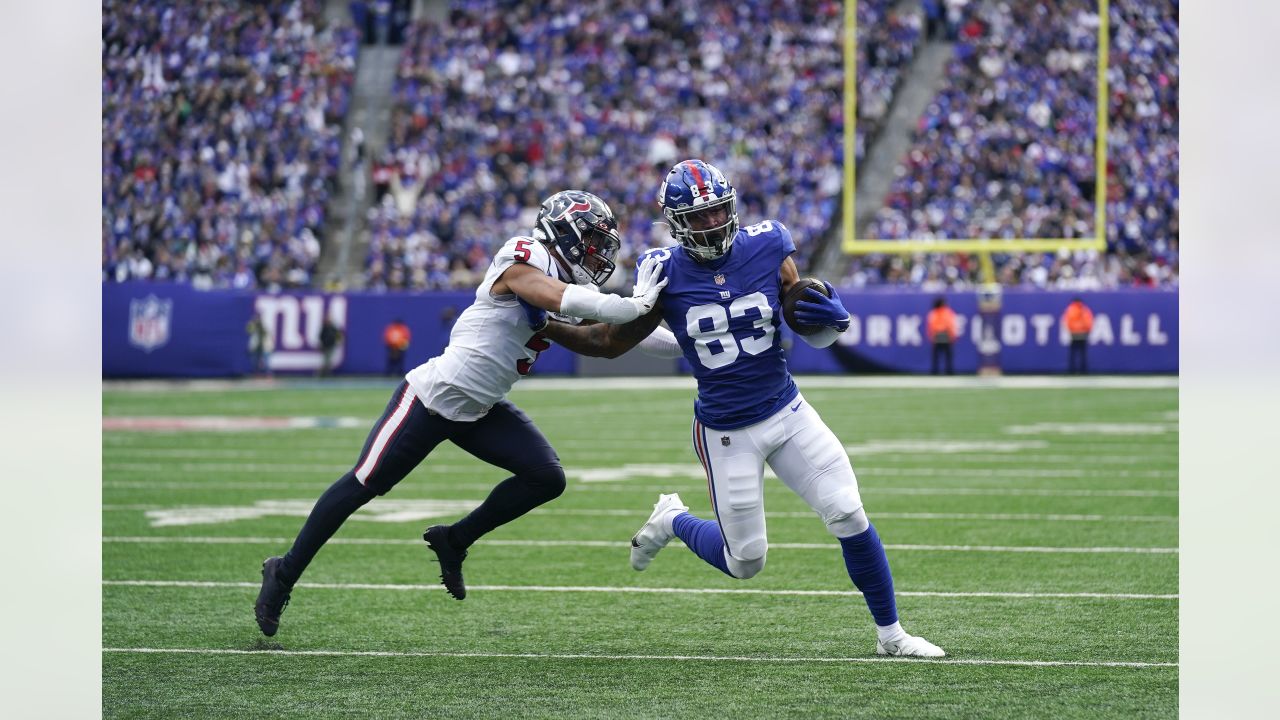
(491, 345)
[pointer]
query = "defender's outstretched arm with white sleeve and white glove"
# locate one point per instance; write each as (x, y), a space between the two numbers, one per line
(542, 291)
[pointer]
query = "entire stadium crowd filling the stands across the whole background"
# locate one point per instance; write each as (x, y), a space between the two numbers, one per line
(222, 121)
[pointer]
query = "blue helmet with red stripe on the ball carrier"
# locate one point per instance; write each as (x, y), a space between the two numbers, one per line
(702, 209)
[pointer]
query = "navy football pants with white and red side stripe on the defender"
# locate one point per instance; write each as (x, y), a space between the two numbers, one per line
(404, 438)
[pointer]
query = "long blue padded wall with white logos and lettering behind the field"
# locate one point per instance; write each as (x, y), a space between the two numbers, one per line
(154, 330)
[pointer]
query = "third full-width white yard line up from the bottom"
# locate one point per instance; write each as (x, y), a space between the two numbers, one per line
(831, 546)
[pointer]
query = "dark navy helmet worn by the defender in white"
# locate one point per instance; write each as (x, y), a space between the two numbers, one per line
(583, 231)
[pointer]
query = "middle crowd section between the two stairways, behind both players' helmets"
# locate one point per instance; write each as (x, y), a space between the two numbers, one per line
(506, 101)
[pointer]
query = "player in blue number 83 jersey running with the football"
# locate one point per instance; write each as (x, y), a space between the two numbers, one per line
(723, 303)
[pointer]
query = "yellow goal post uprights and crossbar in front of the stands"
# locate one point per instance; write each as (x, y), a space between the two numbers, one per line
(851, 245)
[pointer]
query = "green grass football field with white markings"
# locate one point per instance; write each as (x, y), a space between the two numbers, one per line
(1032, 532)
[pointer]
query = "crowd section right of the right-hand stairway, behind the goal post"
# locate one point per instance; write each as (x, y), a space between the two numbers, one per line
(1007, 149)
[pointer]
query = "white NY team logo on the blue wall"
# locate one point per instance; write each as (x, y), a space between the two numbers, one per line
(295, 323)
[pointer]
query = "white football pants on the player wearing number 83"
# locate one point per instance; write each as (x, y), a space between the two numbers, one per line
(806, 455)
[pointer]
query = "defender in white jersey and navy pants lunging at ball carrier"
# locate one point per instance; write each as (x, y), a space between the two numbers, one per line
(461, 394)
